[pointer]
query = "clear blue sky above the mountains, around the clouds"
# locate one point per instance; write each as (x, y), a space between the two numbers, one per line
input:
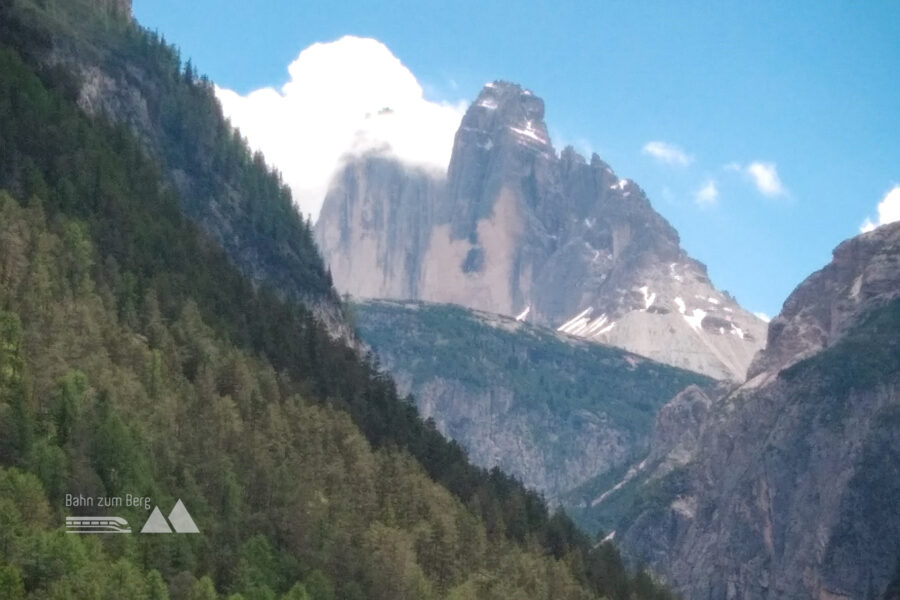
(808, 88)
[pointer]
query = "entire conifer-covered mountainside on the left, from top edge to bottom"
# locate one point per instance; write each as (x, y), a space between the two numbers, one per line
(139, 356)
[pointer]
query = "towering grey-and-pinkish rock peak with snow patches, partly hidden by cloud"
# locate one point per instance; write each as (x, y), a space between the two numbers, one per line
(517, 229)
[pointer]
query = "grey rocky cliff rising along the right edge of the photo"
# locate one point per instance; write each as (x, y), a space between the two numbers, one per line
(789, 486)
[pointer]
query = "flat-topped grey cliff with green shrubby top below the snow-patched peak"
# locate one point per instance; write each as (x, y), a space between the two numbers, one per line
(552, 411)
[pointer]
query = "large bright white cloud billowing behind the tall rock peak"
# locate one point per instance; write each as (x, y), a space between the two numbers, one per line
(348, 96)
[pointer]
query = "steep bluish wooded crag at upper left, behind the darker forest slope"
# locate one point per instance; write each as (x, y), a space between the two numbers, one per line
(125, 74)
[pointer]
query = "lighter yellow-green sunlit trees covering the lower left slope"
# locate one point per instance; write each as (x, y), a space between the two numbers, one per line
(285, 491)
